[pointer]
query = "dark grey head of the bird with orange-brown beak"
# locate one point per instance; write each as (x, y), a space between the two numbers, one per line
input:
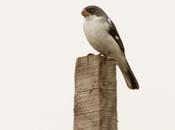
(93, 10)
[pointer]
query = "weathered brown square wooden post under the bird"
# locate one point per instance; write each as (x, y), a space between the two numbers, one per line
(95, 94)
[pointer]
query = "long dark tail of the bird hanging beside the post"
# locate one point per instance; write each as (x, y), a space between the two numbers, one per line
(129, 77)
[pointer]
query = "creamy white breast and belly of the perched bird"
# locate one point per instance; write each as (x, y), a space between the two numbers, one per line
(98, 37)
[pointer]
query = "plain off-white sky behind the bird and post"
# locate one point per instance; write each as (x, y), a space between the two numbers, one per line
(40, 41)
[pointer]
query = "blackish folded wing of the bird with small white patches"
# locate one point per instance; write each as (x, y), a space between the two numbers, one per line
(114, 33)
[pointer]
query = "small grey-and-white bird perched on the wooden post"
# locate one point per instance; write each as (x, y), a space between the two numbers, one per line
(103, 36)
